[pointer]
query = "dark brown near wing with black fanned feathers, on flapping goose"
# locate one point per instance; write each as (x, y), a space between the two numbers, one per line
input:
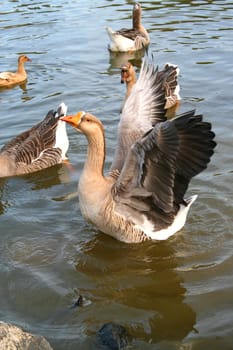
(160, 166)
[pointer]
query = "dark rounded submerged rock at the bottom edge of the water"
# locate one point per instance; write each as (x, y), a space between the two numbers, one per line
(114, 336)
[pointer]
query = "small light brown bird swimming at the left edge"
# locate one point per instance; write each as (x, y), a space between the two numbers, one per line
(8, 79)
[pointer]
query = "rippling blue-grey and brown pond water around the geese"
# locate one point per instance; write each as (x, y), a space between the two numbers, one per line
(169, 295)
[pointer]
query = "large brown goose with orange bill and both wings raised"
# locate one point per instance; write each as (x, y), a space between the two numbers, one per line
(143, 196)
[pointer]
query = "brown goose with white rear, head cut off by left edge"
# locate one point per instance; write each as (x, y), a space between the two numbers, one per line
(40, 147)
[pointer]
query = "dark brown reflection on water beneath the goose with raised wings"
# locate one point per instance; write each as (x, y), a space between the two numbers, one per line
(155, 302)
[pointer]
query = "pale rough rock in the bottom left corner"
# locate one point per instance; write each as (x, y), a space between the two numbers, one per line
(14, 338)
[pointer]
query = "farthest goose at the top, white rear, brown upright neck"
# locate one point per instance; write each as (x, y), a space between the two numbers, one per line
(133, 39)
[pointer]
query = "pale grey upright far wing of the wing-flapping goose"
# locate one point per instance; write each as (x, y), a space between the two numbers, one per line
(143, 109)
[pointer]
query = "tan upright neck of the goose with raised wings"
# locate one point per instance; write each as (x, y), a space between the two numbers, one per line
(94, 164)
